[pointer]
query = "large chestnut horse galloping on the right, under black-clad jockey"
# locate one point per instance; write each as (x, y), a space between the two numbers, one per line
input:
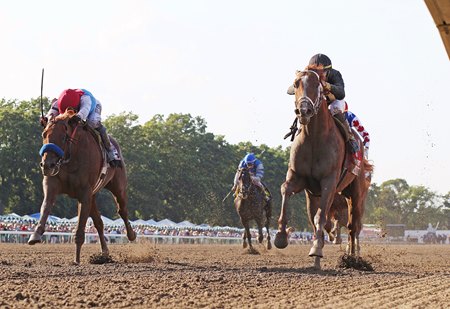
(317, 158)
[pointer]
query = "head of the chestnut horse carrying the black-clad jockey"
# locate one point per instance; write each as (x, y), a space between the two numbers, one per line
(308, 94)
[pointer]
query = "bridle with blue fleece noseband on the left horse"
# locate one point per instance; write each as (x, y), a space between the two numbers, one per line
(63, 154)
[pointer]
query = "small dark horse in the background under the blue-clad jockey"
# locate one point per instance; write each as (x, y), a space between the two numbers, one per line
(250, 205)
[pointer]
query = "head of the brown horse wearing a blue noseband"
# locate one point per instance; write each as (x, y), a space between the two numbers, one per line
(57, 138)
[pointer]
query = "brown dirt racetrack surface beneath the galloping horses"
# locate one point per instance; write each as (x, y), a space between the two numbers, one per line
(223, 276)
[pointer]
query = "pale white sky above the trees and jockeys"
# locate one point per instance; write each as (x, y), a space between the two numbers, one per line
(231, 62)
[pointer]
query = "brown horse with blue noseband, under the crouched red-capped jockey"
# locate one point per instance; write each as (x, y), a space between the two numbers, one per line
(73, 163)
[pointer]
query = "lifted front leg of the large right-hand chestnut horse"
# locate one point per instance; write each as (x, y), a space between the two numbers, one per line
(291, 186)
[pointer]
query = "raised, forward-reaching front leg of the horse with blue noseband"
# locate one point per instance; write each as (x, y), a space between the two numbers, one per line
(50, 193)
